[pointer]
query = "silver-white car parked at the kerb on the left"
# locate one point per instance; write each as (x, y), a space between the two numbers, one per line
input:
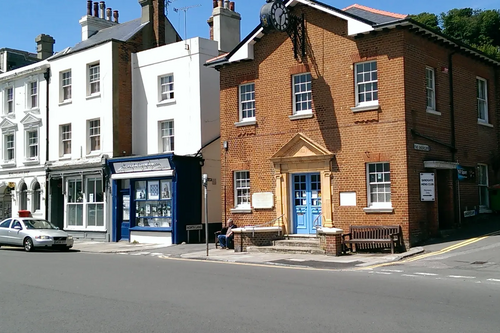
(31, 233)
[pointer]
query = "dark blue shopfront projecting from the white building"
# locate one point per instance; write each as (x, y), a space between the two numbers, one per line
(155, 197)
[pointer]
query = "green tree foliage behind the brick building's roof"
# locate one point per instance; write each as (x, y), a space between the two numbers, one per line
(475, 27)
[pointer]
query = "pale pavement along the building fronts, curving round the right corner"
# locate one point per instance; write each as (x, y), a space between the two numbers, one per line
(488, 225)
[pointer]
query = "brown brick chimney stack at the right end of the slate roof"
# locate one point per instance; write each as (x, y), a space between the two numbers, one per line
(153, 11)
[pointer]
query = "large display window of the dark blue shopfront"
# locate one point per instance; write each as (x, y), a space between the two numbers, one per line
(153, 203)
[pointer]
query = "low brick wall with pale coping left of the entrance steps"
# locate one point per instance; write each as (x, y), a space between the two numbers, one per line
(255, 236)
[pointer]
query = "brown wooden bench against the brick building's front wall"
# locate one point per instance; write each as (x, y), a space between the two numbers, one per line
(363, 237)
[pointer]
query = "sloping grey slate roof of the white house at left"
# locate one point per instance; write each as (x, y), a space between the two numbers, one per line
(120, 32)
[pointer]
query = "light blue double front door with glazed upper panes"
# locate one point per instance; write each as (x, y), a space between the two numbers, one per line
(306, 203)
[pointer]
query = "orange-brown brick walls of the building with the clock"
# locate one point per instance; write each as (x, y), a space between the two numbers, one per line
(384, 135)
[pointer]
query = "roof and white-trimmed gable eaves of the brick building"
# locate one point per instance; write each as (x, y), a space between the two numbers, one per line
(360, 20)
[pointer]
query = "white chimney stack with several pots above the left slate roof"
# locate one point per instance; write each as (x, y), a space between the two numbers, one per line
(93, 22)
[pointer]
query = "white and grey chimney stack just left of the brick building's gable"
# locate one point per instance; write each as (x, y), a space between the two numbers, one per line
(225, 25)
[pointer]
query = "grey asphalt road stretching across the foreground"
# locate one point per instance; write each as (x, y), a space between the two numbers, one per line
(80, 292)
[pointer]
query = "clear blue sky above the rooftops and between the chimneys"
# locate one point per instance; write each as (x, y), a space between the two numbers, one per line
(26, 19)
